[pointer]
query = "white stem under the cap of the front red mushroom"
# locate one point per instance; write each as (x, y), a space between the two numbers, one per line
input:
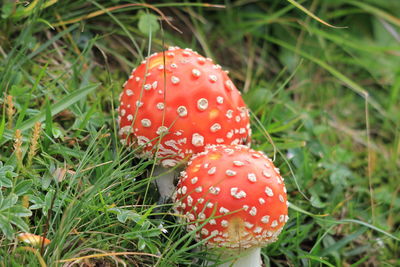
(248, 258)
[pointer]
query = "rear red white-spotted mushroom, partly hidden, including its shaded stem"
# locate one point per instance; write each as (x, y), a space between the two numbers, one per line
(174, 104)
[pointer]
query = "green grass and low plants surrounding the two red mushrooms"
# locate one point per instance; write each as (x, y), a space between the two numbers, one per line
(324, 102)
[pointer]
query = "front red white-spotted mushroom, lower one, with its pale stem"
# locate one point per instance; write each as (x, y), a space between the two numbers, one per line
(238, 196)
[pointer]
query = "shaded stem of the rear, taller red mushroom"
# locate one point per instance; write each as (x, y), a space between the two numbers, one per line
(164, 182)
